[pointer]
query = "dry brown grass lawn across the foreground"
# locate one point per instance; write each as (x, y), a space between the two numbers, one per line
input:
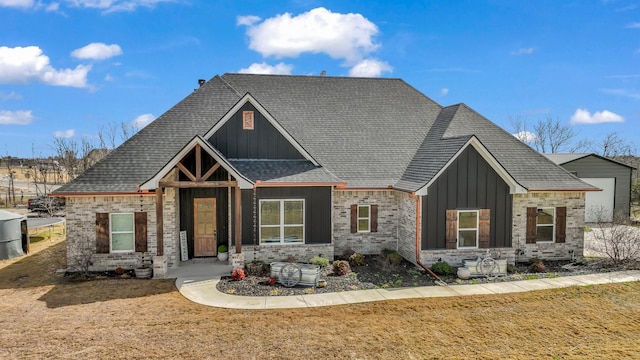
(43, 316)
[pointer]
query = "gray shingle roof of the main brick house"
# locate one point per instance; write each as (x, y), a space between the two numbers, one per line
(368, 132)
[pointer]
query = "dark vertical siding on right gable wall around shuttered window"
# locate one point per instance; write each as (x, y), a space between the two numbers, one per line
(469, 183)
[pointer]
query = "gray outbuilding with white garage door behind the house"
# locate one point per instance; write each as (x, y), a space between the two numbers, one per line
(613, 177)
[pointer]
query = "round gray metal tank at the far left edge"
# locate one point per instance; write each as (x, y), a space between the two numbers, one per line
(14, 238)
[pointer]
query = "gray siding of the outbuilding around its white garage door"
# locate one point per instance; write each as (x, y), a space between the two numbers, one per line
(595, 167)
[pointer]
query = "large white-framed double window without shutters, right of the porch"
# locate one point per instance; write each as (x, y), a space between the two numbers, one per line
(281, 221)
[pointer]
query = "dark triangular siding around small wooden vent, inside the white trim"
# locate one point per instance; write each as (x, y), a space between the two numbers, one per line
(263, 142)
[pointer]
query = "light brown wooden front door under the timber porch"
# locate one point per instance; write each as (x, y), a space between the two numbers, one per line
(205, 231)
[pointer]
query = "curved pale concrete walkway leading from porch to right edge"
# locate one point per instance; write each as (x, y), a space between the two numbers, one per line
(201, 289)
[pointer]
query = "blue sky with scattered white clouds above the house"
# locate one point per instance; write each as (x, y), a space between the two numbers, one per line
(71, 67)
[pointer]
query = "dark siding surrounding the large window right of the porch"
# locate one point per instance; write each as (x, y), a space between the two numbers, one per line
(317, 211)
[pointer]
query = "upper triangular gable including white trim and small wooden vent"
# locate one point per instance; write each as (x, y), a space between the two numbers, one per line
(248, 131)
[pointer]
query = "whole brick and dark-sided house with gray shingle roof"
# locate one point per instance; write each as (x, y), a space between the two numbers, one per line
(278, 166)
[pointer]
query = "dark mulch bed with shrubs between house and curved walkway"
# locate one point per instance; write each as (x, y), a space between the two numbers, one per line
(376, 274)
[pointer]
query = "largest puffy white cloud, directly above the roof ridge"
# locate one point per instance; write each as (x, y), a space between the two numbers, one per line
(341, 36)
